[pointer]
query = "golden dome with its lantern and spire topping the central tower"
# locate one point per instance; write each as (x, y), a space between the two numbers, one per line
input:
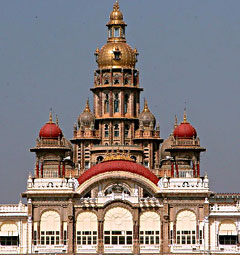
(116, 53)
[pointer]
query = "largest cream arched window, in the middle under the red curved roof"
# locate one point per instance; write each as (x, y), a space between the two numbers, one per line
(118, 227)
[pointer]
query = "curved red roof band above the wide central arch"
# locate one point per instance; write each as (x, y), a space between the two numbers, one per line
(118, 165)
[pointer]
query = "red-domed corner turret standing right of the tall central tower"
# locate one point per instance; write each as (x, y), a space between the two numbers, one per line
(180, 152)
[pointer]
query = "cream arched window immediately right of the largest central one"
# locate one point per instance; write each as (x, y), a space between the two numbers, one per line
(149, 228)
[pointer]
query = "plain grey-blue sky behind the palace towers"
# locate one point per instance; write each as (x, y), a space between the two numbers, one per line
(189, 52)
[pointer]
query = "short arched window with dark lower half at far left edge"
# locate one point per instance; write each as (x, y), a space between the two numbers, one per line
(9, 234)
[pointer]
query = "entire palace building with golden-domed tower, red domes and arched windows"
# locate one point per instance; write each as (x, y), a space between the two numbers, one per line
(117, 187)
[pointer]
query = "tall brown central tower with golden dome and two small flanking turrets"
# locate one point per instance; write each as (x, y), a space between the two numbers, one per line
(116, 124)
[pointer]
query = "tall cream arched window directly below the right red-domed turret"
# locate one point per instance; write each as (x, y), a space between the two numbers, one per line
(186, 227)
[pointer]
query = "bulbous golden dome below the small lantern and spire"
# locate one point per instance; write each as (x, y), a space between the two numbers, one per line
(126, 56)
